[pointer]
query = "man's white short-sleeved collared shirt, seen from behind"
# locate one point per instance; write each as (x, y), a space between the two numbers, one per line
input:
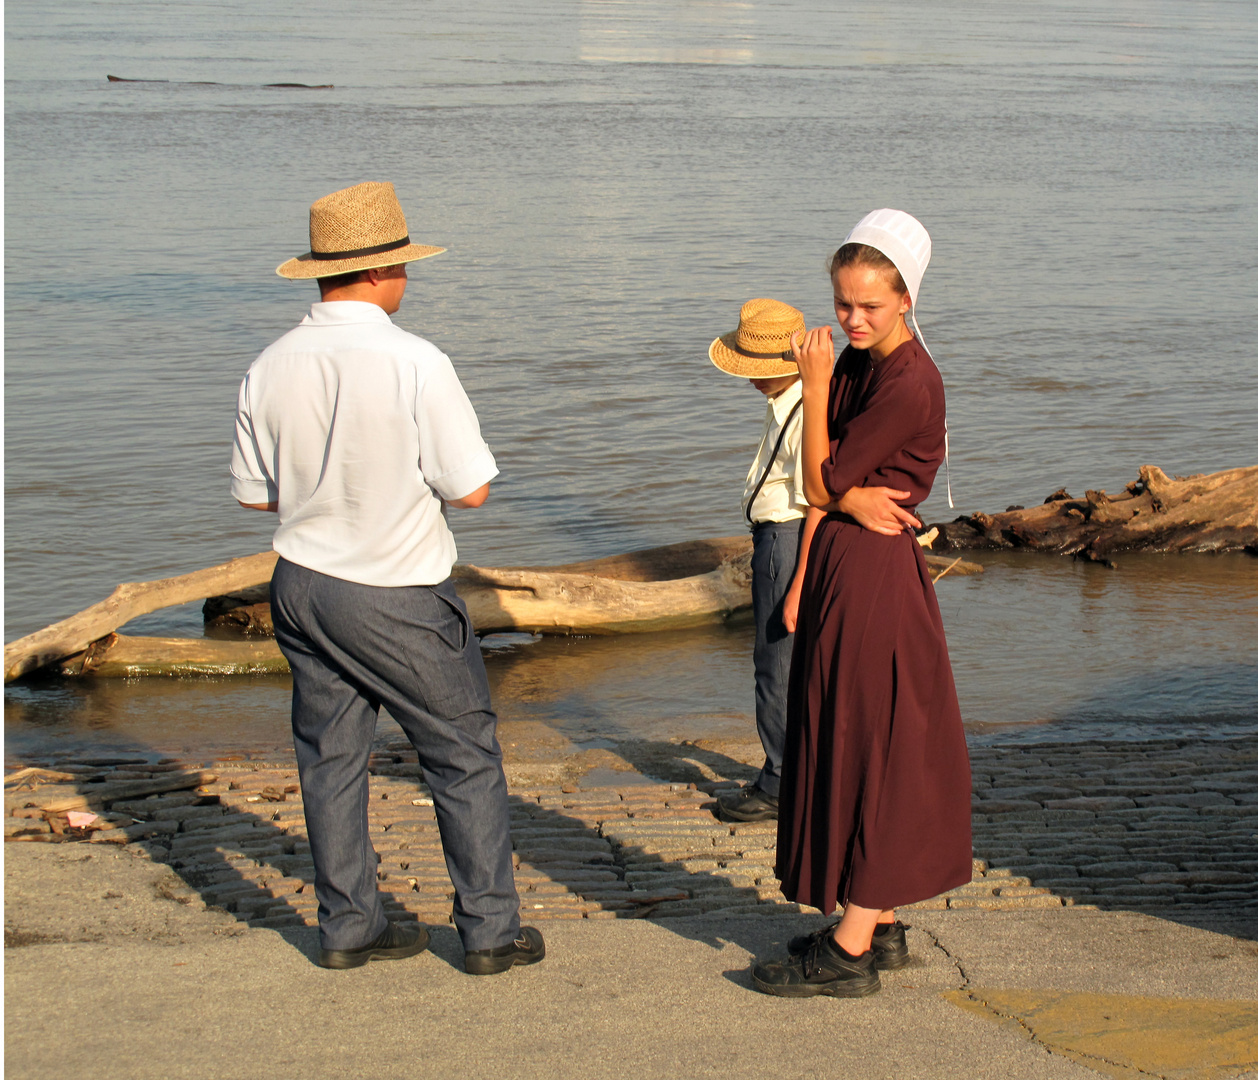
(359, 429)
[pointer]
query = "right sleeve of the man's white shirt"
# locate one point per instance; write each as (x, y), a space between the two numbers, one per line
(454, 457)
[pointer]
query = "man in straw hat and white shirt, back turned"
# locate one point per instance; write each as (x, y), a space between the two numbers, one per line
(359, 436)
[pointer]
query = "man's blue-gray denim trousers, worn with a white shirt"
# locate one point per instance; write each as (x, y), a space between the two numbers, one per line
(355, 648)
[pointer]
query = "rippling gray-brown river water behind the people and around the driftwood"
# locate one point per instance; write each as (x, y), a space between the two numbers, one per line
(613, 182)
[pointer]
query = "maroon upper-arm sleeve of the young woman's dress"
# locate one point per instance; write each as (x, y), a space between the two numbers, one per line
(894, 413)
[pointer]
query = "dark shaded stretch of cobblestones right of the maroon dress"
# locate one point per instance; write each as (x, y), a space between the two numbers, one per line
(1166, 828)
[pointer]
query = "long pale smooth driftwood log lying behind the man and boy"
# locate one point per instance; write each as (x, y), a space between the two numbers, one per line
(674, 587)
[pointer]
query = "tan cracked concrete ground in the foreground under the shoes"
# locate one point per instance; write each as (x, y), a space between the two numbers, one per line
(113, 975)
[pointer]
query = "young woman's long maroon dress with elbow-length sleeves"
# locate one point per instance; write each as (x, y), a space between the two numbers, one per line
(876, 778)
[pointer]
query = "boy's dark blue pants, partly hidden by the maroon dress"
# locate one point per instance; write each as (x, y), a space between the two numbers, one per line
(776, 548)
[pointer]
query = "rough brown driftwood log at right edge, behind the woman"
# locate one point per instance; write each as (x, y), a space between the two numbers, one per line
(1157, 514)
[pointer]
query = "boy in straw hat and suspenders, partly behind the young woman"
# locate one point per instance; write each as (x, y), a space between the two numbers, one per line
(782, 527)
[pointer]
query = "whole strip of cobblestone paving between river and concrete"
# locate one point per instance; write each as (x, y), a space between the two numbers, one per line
(1166, 828)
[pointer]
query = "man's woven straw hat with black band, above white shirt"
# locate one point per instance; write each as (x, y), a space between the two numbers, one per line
(357, 229)
